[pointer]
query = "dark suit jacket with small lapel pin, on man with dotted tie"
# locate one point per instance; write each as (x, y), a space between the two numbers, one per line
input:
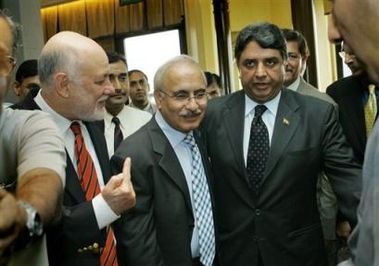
(282, 223)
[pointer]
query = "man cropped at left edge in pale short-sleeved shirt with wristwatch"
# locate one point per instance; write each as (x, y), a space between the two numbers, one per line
(32, 163)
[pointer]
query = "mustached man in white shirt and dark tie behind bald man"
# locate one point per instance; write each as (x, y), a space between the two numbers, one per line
(120, 120)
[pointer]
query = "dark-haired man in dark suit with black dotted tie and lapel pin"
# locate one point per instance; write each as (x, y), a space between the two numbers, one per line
(265, 194)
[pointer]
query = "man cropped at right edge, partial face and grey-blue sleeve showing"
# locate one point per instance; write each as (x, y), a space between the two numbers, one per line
(354, 22)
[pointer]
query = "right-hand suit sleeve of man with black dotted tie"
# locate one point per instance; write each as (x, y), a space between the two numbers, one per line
(343, 171)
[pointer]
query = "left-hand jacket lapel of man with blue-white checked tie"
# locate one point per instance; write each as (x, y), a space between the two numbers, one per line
(169, 162)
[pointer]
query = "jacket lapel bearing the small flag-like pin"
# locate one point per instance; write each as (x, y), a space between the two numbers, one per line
(286, 123)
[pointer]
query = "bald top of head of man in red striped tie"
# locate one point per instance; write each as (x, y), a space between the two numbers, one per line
(68, 52)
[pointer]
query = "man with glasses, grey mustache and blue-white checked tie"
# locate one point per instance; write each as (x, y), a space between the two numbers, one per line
(166, 227)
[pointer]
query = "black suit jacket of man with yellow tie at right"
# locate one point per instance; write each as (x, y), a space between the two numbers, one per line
(348, 93)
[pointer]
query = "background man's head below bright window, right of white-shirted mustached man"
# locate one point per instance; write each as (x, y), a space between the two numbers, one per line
(139, 91)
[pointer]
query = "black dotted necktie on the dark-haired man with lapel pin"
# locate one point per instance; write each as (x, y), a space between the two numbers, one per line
(258, 149)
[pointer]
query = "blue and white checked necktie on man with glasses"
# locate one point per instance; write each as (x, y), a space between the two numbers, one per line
(202, 205)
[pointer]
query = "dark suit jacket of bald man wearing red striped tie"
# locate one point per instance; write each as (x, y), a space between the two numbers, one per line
(78, 226)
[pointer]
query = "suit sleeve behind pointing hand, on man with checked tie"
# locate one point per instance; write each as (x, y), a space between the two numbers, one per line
(135, 231)
